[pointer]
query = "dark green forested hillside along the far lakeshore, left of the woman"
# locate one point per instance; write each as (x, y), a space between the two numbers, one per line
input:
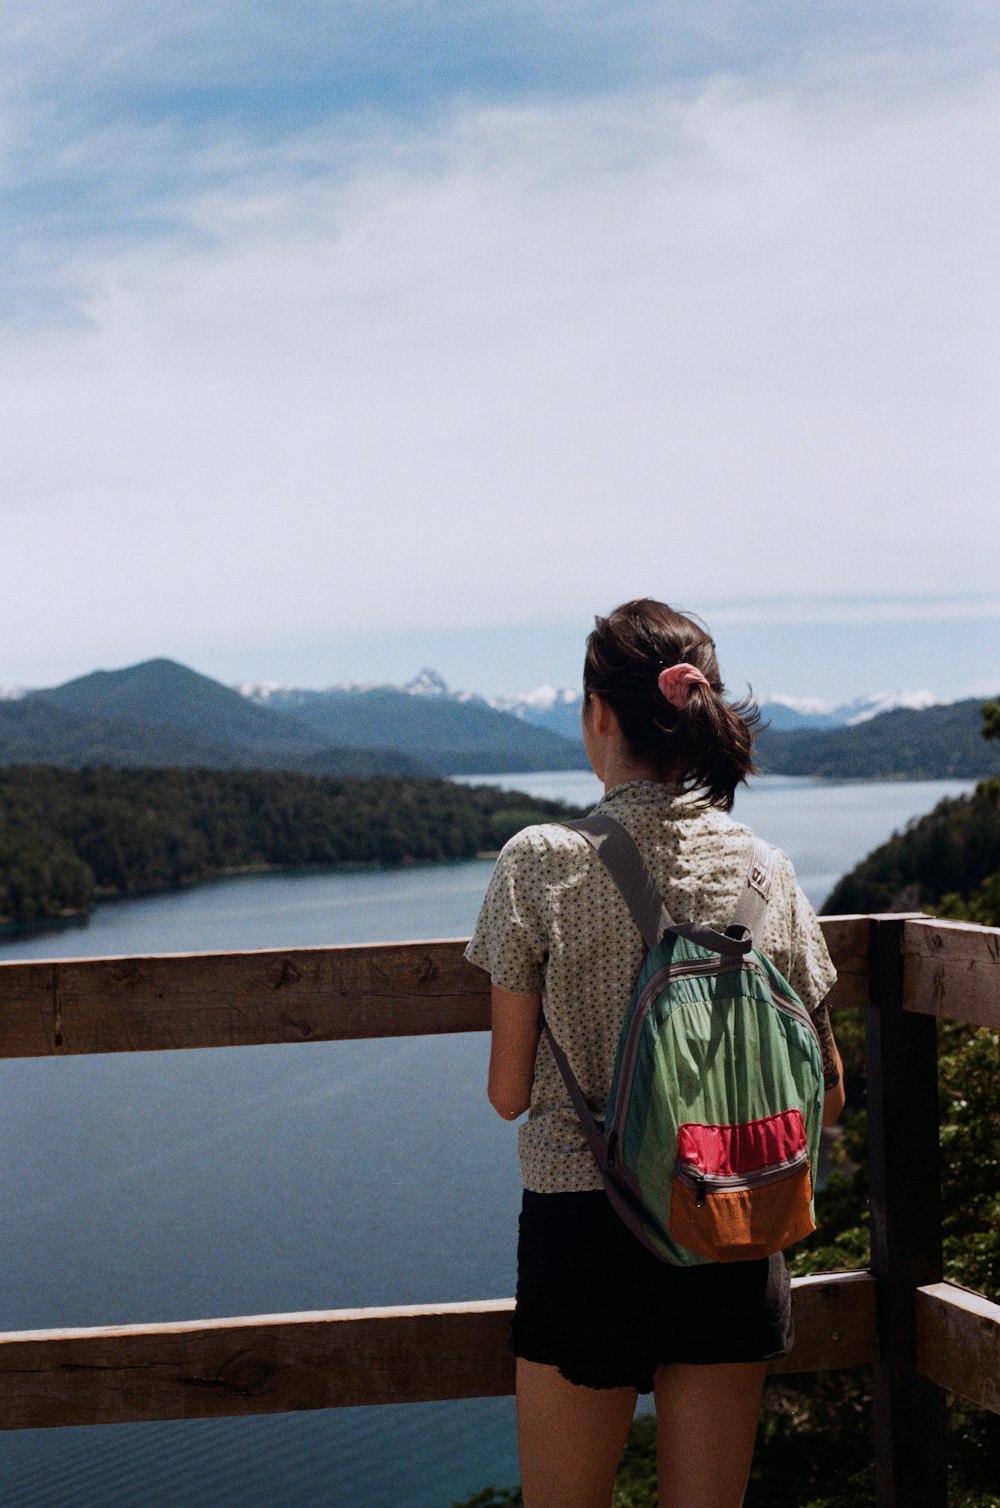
(69, 838)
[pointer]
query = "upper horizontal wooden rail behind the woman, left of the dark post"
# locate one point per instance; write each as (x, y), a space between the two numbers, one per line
(192, 1001)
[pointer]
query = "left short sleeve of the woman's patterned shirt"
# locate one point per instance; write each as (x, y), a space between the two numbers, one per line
(511, 939)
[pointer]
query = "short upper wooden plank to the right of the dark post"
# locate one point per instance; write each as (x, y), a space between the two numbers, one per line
(952, 970)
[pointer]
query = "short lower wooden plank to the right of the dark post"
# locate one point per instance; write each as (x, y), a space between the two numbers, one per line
(959, 1343)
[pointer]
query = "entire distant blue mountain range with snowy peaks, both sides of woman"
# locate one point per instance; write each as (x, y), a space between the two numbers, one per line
(162, 714)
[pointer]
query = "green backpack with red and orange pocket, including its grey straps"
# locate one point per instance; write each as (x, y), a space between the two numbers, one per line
(710, 1142)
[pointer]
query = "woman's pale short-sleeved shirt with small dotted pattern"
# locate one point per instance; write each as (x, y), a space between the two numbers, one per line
(553, 924)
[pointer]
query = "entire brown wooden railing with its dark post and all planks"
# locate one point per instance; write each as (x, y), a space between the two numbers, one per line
(921, 1334)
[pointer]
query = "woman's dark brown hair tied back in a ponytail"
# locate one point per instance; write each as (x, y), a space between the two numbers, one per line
(705, 746)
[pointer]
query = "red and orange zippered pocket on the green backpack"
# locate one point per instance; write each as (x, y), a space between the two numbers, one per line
(743, 1192)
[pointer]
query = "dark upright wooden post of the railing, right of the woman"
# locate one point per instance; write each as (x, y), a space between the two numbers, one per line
(906, 1195)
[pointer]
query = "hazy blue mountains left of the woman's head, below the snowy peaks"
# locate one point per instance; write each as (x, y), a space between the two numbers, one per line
(162, 714)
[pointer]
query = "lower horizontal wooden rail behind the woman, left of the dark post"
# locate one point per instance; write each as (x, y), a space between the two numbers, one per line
(330, 1359)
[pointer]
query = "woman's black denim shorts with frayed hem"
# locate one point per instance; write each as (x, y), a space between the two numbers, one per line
(597, 1304)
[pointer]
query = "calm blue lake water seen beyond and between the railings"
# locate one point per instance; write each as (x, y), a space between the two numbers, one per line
(170, 1186)
